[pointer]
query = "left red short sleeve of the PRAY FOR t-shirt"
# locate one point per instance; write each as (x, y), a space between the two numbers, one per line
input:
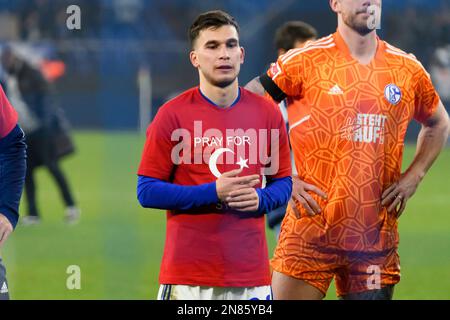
(156, 159)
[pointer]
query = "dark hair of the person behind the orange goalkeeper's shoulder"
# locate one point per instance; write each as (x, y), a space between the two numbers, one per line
(293, 31)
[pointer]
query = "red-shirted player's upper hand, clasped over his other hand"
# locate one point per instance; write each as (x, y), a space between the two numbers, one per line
(229, 182)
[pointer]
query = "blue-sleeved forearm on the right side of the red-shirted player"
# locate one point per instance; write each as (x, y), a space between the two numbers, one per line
(276, 194)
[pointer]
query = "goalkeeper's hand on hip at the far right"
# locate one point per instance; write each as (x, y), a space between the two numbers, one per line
(399, 193)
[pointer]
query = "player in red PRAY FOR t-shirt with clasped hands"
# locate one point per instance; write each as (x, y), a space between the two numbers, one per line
(203, 161)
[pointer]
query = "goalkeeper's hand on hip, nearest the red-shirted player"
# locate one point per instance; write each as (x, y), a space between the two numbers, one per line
(300, 194)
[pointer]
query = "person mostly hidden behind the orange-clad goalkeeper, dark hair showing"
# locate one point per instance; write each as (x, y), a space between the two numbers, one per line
(291, 35)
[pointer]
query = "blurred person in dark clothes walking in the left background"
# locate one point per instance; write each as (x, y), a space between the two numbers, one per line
(46, 129)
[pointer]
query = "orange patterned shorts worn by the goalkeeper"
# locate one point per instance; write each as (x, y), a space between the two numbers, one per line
(317, 265)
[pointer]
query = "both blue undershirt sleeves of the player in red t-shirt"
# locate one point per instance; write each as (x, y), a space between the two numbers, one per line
(155, 193)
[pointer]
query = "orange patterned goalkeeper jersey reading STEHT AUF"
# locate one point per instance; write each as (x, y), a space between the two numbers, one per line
(347, 135)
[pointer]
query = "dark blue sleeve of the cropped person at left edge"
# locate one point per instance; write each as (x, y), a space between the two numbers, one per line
(12, 173)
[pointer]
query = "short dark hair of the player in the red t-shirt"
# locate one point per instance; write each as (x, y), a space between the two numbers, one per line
(211, 19)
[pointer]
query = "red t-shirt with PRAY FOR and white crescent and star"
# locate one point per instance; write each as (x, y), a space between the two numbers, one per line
(190, 142)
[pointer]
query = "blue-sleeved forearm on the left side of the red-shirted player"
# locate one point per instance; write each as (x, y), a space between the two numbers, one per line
(154, 193)
